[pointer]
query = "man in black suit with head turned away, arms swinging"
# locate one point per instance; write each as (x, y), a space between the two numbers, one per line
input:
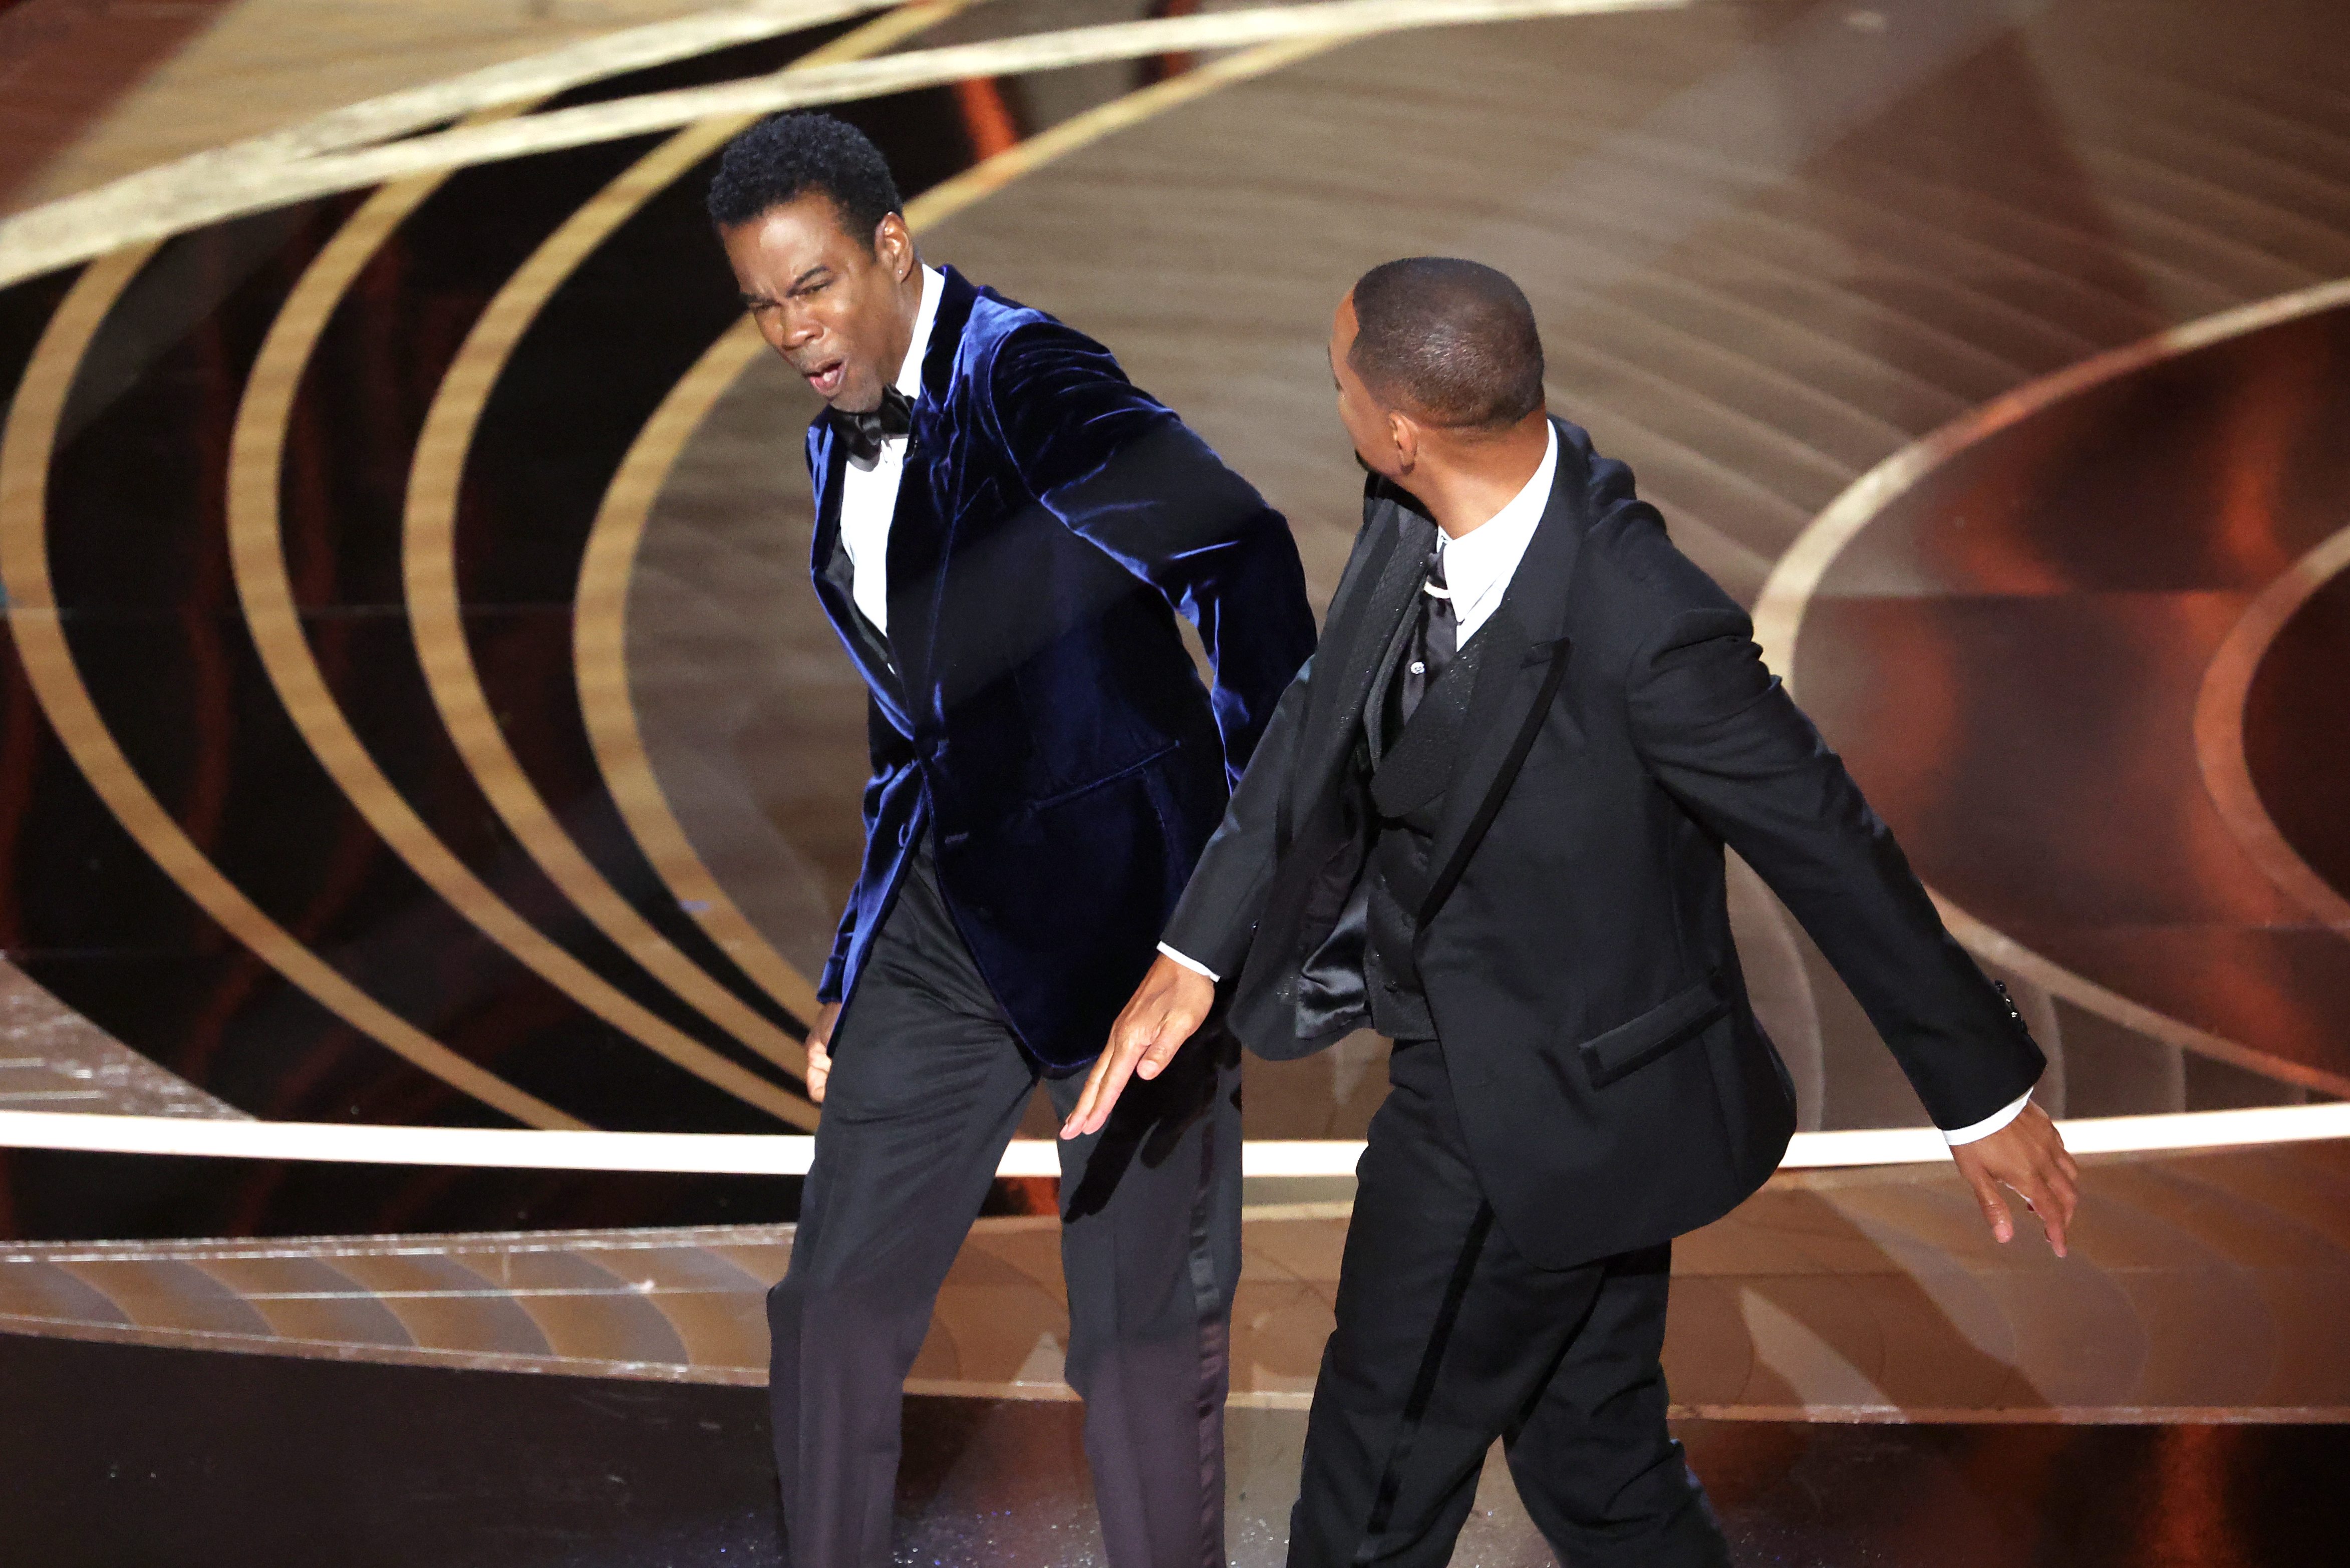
(1489, 822)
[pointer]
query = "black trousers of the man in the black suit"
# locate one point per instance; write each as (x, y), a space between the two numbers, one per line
(1449, 1339)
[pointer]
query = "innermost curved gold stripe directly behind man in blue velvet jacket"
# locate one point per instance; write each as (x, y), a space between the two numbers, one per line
(600, 612)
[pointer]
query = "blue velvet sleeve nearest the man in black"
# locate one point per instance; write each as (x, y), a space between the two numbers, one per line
(1129, 476)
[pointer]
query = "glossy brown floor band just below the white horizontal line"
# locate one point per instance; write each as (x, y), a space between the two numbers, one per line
(2201, 1287)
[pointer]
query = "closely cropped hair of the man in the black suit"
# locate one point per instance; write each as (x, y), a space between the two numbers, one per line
(1449, 340)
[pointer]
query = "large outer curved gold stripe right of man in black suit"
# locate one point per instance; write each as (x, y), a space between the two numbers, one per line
(1799, 575)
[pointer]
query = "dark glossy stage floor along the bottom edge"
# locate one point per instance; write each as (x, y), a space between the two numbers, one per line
(130, 1459)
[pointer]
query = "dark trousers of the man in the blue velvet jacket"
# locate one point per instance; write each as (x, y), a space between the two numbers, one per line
(927, 1092)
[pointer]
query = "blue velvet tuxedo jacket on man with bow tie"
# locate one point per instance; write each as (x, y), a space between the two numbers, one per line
(1035, 709)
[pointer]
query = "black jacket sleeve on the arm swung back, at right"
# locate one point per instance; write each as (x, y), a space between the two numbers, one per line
(1724, 737)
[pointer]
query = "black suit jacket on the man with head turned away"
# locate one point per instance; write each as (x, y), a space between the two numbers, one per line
(1576, 946)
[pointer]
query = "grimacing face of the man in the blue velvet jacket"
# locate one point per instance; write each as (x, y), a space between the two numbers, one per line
(833, 307)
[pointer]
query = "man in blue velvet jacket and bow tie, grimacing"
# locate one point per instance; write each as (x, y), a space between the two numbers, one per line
(1005, 532)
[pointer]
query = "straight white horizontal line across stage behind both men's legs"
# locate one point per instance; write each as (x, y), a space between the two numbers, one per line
(788, 1155)
